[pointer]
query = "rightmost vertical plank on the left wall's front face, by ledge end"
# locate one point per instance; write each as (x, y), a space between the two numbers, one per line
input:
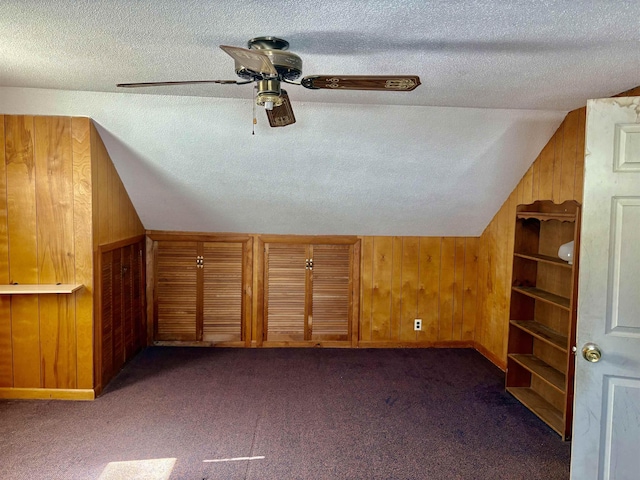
(83, 247)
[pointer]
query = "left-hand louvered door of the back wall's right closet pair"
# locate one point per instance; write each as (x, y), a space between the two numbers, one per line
(285, 296)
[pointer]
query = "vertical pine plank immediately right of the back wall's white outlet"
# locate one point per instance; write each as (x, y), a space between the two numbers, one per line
(429, 291)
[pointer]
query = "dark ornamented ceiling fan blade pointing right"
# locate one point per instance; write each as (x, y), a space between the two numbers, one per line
(397, 83)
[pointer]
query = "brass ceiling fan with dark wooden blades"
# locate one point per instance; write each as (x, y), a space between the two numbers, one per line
(268, 63)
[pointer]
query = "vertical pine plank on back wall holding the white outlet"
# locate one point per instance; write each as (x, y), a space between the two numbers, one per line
(409, 287)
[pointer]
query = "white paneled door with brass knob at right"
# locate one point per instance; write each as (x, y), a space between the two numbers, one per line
(606, 425)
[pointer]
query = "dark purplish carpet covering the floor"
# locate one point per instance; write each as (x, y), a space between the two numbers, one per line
(296, 413)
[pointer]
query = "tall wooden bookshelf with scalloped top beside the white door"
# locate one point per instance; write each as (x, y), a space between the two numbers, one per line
(540, 361)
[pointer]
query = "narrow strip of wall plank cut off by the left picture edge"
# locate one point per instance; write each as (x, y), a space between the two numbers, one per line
(6, 351)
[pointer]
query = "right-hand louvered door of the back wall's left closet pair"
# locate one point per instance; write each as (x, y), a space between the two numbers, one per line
(222, 297)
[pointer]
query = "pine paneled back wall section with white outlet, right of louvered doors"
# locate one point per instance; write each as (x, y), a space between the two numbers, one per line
(432, 278)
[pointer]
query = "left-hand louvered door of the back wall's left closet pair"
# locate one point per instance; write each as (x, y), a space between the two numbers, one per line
(176, 290)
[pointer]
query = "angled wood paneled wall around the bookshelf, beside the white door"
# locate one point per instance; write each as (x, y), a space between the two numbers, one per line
(556, 175)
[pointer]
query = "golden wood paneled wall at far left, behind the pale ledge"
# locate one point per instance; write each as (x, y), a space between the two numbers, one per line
(47, 174)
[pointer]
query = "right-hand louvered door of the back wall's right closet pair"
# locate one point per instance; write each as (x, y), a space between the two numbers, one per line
(331, 287)
